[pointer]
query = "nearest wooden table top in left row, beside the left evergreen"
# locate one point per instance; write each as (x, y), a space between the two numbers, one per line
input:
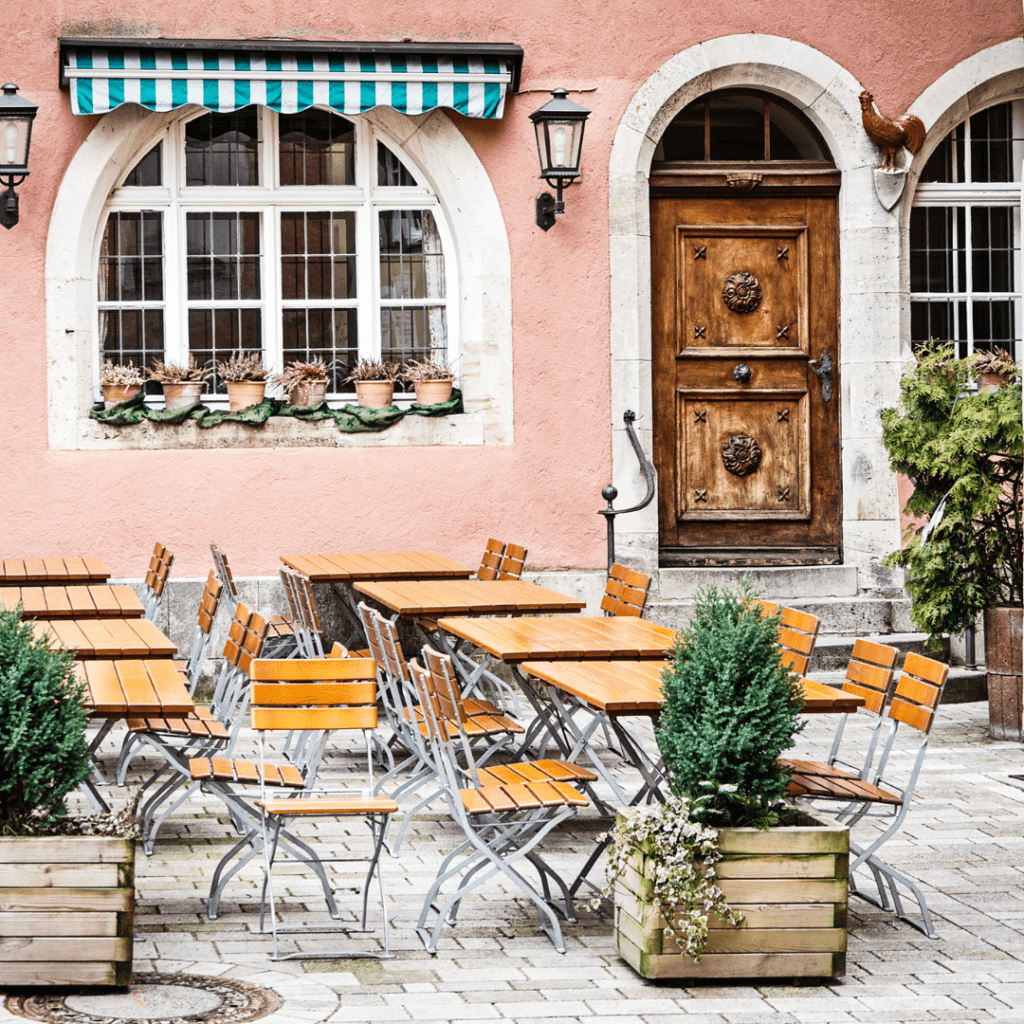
(151, 689)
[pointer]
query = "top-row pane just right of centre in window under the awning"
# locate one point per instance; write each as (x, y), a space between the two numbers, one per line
(317, 148)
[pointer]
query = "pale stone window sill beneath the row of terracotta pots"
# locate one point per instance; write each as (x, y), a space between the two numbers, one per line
(281, 432)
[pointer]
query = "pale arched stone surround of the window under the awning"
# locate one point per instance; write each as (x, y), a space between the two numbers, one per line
(434, 145)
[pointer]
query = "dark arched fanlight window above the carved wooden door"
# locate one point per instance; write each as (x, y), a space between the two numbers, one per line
(741, 126)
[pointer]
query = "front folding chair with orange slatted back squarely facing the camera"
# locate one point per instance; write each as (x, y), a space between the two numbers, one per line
(317, 697)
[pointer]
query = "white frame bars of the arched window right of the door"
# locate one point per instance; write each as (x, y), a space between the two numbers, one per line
(970, 195)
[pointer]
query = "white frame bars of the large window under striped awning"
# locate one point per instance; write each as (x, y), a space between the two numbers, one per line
(174, 200)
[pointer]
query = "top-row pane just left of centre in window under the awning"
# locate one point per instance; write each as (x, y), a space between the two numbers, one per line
(224, 149)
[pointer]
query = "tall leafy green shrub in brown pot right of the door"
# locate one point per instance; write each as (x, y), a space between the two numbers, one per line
(964, 453)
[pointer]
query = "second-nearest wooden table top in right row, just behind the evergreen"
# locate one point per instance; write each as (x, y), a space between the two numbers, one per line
(516, 641)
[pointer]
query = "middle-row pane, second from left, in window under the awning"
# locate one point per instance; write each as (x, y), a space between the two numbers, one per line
(224, 255)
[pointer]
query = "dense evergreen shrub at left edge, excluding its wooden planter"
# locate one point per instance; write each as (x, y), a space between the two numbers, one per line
(44, 752)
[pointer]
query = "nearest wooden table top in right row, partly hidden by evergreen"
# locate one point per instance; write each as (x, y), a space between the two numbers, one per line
(635, 688)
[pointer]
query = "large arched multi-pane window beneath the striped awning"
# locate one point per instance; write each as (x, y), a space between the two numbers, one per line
(303, 236)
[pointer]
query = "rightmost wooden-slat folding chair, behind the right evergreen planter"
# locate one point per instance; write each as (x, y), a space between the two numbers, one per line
(884, 793)
